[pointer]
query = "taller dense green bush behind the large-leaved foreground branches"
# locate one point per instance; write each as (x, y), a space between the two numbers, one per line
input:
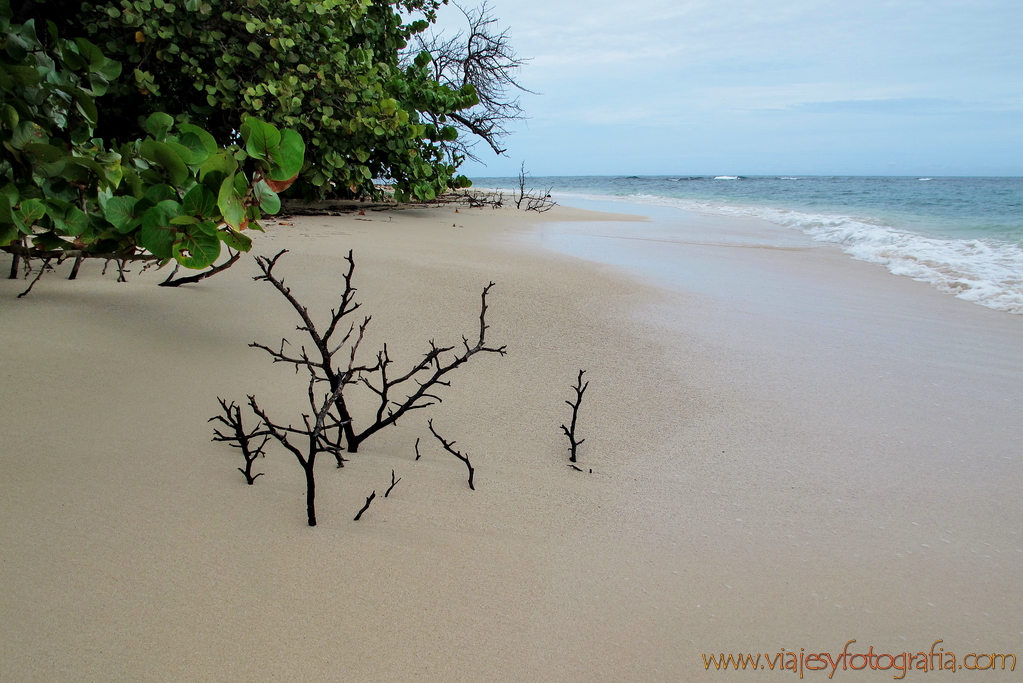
(327, 68)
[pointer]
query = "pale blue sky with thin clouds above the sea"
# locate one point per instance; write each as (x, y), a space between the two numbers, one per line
(762, 87)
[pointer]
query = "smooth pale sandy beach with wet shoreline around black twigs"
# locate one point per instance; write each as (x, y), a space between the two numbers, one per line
(790, 450)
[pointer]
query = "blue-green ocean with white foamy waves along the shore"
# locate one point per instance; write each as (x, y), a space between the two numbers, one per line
(963, 236)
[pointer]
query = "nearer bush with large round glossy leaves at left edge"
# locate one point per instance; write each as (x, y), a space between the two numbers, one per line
(173, 195)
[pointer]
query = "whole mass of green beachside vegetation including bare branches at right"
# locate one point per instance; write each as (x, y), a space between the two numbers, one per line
(161, 130)
